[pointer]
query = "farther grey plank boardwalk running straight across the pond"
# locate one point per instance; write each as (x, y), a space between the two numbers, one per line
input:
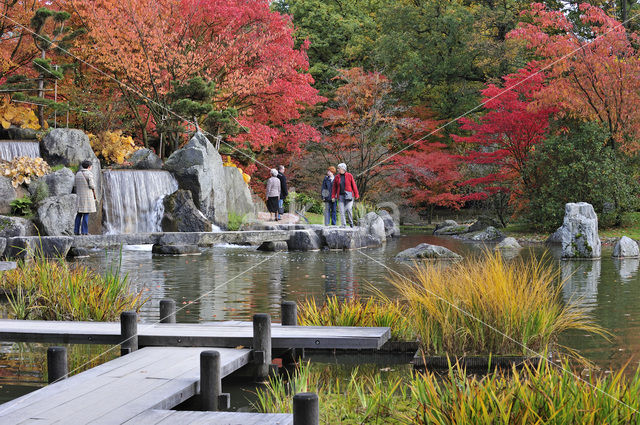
(213, 334)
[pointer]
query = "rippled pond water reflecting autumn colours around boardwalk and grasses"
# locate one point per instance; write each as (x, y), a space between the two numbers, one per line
(232, 283)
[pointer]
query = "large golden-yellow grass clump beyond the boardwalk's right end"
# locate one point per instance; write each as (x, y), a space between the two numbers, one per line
(488, 306)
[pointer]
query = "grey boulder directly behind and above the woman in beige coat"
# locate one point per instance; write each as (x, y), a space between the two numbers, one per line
(70, 147)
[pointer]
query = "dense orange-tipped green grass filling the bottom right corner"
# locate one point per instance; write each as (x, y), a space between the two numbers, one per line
(548, 395)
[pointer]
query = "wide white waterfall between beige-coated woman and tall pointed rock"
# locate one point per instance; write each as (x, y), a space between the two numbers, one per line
(132, 200)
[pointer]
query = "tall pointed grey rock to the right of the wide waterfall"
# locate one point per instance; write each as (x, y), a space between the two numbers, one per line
(198, 169)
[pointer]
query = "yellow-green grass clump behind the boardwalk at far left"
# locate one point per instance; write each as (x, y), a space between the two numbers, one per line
(44, 289)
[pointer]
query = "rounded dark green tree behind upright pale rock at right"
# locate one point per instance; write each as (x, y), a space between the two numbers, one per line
(576, 165)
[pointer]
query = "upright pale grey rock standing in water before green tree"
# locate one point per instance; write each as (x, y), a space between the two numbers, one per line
(580, 231)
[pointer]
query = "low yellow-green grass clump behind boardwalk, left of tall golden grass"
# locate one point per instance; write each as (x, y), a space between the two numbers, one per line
(373, 312)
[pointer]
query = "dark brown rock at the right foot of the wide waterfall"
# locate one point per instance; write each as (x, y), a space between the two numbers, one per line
(182, 215)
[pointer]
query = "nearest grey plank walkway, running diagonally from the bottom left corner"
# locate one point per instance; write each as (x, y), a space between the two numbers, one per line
(138, 388)
